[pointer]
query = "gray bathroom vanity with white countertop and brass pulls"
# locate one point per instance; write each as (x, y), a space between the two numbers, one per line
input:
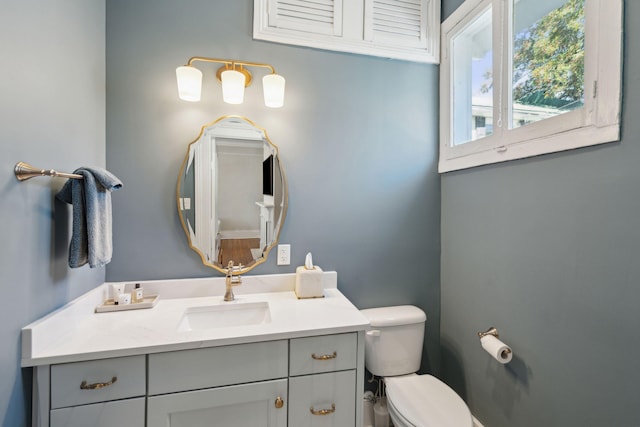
(264, 359)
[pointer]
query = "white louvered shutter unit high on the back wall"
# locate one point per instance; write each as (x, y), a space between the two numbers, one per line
(399, 29)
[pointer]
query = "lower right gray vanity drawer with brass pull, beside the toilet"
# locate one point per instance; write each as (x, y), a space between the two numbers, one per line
(327, 400)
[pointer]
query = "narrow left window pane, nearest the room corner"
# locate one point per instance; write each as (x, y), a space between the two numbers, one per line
(472, 75)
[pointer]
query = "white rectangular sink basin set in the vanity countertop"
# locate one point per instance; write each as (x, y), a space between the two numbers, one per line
(225, 316)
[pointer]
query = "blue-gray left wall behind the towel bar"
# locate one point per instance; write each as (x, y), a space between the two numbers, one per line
(52, 114)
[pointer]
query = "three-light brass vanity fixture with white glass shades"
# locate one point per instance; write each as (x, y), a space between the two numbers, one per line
(234, 76)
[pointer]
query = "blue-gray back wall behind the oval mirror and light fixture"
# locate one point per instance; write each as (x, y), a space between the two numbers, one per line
(357, 138)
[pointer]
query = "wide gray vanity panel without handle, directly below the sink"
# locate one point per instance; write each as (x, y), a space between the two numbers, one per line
(216, 366)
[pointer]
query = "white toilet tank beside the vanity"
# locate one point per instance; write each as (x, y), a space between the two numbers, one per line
(393, 346)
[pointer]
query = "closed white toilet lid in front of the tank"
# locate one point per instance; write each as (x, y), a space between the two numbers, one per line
(425, 401)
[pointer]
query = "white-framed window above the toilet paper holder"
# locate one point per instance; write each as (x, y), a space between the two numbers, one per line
(521, 78)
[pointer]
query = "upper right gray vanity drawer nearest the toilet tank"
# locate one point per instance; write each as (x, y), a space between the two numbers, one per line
(325, 353)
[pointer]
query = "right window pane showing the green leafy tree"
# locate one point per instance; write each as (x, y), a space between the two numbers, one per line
(548, 59)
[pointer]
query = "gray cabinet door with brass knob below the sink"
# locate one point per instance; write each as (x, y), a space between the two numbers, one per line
(262, 404)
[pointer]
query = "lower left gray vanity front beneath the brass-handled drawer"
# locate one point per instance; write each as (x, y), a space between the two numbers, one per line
(128, 412)
